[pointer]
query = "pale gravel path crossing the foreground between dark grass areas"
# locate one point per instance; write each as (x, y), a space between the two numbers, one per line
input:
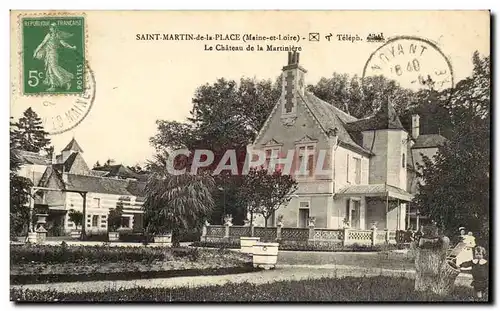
(282, 272)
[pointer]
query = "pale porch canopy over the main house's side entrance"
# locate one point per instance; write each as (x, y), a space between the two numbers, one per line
(375, 190)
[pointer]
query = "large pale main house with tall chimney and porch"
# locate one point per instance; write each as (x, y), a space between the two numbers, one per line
(371, 160)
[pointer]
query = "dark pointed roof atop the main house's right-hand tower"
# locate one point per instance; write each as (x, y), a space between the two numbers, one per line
(385, 118)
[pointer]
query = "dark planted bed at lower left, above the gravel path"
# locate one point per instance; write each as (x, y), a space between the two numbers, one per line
(46, 264)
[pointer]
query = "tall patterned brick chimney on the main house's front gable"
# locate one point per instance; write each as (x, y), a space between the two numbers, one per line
(293, 84)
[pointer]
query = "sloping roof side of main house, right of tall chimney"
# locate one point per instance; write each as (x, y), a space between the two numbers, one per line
(329, 117)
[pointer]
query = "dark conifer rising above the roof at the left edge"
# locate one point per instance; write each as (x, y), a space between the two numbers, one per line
(29, 134)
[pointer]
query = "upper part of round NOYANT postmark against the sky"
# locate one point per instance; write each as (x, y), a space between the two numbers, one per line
(415, 63)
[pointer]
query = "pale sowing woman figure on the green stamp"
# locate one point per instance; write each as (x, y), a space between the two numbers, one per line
(55, 75)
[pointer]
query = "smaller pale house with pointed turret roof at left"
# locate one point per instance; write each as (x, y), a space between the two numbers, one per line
(72, 180)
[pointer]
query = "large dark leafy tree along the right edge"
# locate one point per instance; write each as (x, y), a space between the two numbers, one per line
(455, 184)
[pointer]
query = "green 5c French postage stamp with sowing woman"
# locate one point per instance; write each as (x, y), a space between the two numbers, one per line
(53, 55)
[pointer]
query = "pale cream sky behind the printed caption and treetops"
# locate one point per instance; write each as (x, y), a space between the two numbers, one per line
(138, 82)
